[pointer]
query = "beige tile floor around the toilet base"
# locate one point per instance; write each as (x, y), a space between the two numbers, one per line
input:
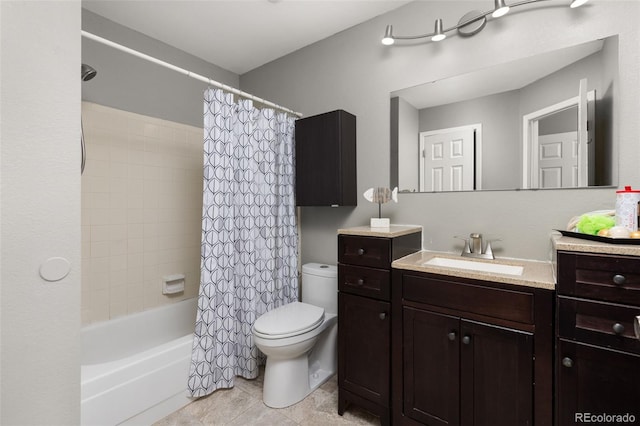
(242, 406)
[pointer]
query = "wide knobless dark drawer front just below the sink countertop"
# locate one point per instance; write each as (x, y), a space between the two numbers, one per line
(492, 302)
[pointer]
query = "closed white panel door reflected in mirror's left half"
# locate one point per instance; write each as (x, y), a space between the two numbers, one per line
(447, 160)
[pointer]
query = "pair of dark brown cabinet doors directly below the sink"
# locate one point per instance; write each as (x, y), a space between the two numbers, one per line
(460, 372)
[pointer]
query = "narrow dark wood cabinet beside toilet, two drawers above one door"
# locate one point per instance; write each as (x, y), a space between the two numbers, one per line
(365, 318)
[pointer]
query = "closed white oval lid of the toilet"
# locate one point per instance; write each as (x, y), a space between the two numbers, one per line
(289, 320)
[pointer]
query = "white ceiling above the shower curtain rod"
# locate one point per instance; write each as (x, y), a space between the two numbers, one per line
(240, 35)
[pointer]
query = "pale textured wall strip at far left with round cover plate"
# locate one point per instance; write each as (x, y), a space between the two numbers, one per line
(40, 199)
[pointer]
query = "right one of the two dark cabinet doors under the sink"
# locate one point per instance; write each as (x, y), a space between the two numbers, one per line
(496, 368)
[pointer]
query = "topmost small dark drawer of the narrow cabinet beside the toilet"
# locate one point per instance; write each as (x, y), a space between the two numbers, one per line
(364, 251)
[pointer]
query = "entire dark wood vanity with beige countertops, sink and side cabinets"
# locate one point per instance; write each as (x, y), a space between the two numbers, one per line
(423, 341)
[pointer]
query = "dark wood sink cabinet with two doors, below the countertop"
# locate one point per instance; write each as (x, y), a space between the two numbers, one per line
(471, 352)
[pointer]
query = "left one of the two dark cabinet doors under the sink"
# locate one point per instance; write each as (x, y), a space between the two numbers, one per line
(431, 367)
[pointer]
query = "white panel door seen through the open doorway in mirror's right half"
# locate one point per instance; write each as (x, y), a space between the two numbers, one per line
(558, 160)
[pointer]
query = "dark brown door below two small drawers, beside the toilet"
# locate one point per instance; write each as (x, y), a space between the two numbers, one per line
(364, 346)
